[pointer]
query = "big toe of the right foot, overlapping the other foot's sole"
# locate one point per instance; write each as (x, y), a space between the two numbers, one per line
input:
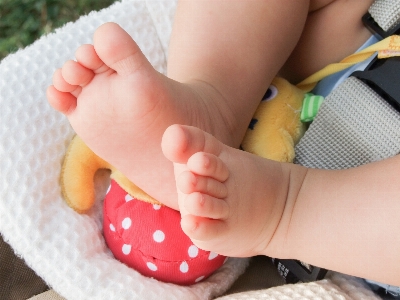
(180, 142)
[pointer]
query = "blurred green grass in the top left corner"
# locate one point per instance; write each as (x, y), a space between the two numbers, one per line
(23, 21)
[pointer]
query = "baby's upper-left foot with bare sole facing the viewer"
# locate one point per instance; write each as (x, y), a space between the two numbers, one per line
(120, 106)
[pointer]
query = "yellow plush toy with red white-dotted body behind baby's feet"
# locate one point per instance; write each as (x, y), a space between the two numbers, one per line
(146, 235)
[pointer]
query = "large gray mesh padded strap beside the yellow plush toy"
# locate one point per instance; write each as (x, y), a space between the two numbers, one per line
(354, 126)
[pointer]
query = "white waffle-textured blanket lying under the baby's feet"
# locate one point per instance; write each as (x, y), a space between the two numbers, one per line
(66, 249)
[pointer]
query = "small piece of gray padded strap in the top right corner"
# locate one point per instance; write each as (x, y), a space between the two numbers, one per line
(386, 13)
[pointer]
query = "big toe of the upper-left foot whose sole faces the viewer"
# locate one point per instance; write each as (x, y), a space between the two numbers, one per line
(118, 50)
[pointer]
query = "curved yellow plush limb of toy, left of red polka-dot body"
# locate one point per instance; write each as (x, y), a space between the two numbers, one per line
(77, 177)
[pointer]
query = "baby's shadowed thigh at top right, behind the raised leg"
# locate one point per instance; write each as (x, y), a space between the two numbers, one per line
(333, 30)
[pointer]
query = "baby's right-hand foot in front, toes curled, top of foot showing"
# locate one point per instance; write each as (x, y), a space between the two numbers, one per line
(233, 201)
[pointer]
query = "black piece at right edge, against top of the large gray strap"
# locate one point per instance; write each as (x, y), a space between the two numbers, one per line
(383, 76)
